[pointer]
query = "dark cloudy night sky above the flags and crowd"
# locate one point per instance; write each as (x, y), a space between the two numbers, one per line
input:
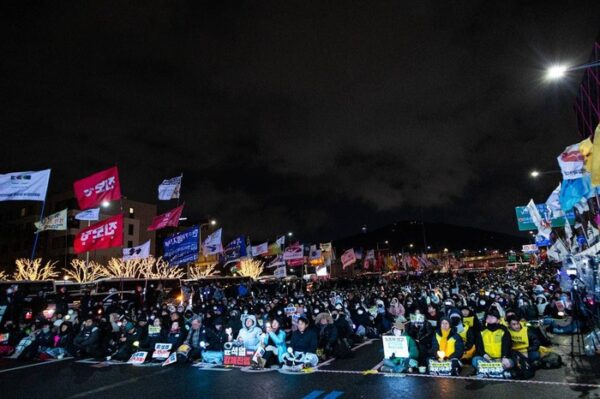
(311, 116)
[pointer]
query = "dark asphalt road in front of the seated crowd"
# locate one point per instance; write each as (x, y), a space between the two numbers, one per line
(339, 379)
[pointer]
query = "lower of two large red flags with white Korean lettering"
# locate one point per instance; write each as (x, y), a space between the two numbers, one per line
(105, 234)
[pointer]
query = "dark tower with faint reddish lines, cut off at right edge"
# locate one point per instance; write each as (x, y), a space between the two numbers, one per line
(587, 104)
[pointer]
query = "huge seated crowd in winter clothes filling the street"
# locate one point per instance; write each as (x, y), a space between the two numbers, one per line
(468, 320)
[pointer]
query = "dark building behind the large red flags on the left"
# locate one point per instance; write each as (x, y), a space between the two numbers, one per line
(17, 229)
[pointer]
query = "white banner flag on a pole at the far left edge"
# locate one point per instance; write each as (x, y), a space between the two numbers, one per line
(24, 186)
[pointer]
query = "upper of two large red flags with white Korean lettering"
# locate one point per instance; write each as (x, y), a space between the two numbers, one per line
(99, 187)
